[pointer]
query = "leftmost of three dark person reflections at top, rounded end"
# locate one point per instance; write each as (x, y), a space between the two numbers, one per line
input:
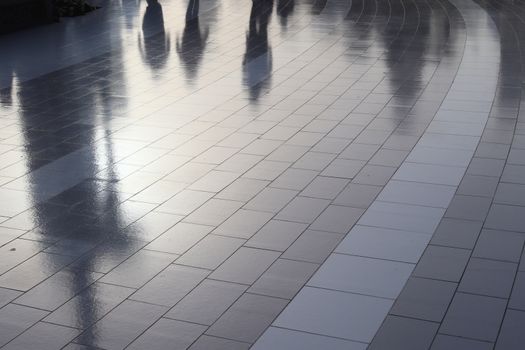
(154, 42)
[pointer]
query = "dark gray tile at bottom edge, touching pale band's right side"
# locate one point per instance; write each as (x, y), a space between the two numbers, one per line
(404, 333)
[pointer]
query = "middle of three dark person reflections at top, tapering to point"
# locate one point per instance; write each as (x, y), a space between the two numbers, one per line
(193, 42)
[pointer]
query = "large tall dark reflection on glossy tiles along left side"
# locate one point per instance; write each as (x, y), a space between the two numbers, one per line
(78, 212)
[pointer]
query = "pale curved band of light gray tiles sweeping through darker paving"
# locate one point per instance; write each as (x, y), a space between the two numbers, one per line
(350, 296)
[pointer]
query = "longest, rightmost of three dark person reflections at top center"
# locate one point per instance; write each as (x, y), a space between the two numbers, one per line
(257, 62)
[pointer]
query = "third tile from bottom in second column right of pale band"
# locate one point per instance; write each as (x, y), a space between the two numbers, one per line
(488, 277)
